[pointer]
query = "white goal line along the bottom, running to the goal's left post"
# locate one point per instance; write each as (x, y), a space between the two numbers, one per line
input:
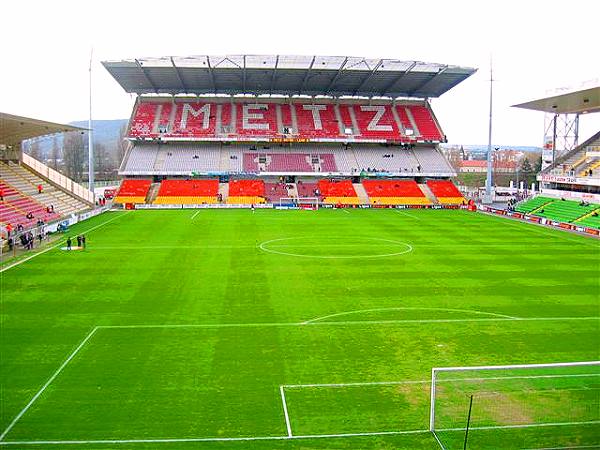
(214, 439)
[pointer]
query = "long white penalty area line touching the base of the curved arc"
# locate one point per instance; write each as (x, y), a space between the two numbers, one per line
(356, 322)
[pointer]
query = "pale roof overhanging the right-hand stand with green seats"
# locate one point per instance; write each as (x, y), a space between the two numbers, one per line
(585, 100)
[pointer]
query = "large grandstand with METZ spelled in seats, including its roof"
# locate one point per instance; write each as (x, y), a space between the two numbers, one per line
(285, 127)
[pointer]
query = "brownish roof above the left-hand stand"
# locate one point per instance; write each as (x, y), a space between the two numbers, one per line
(14, 129)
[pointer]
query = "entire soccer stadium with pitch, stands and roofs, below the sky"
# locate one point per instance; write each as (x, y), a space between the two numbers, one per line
(288, 263)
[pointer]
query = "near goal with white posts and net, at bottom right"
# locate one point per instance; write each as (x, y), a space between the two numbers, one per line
(516, 406)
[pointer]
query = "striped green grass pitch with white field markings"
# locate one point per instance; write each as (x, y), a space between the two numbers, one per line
(185, 325)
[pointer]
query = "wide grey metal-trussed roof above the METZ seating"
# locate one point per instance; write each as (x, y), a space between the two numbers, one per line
(286, 75)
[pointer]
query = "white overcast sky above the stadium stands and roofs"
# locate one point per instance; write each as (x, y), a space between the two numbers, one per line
(537, 46)
